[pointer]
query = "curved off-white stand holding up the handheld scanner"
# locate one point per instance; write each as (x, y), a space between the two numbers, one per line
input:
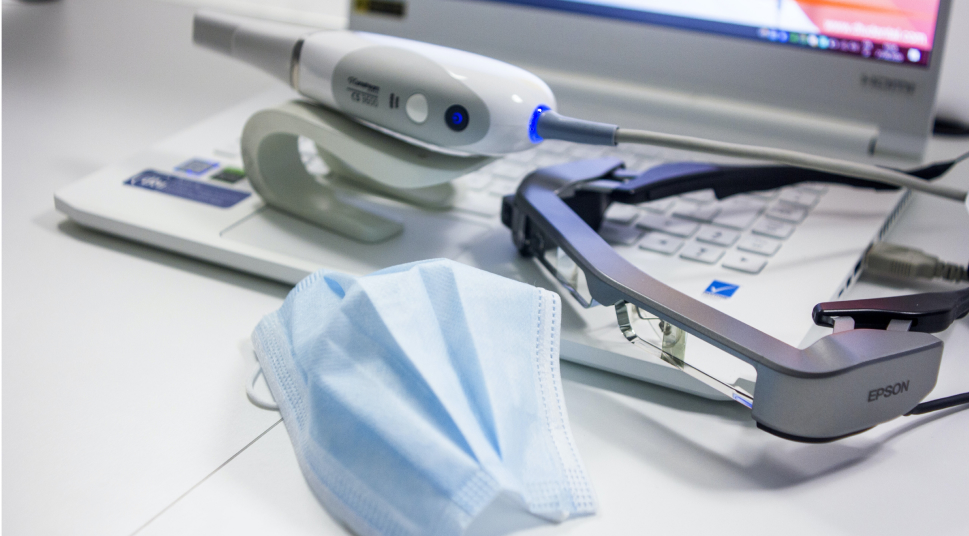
(358, 157)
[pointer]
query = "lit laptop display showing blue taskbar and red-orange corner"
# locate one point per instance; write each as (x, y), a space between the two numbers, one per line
(898, 31)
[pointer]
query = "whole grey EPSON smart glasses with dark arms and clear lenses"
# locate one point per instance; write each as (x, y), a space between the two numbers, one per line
(879, 366)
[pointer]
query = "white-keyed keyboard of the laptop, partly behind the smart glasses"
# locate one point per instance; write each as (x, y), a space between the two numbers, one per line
(741, 232)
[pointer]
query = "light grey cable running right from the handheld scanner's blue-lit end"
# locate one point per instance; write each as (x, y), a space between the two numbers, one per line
(793, 158)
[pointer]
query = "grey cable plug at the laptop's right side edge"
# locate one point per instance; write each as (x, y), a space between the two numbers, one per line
(899, 261)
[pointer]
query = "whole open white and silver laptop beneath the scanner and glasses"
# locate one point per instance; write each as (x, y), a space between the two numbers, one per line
(853, 80)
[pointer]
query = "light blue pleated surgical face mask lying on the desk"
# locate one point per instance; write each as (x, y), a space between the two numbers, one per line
(417, 395)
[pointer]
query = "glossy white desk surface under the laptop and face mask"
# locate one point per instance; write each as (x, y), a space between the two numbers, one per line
(123, 366)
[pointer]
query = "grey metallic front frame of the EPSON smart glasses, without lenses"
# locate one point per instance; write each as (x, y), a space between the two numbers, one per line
(817, 394)
